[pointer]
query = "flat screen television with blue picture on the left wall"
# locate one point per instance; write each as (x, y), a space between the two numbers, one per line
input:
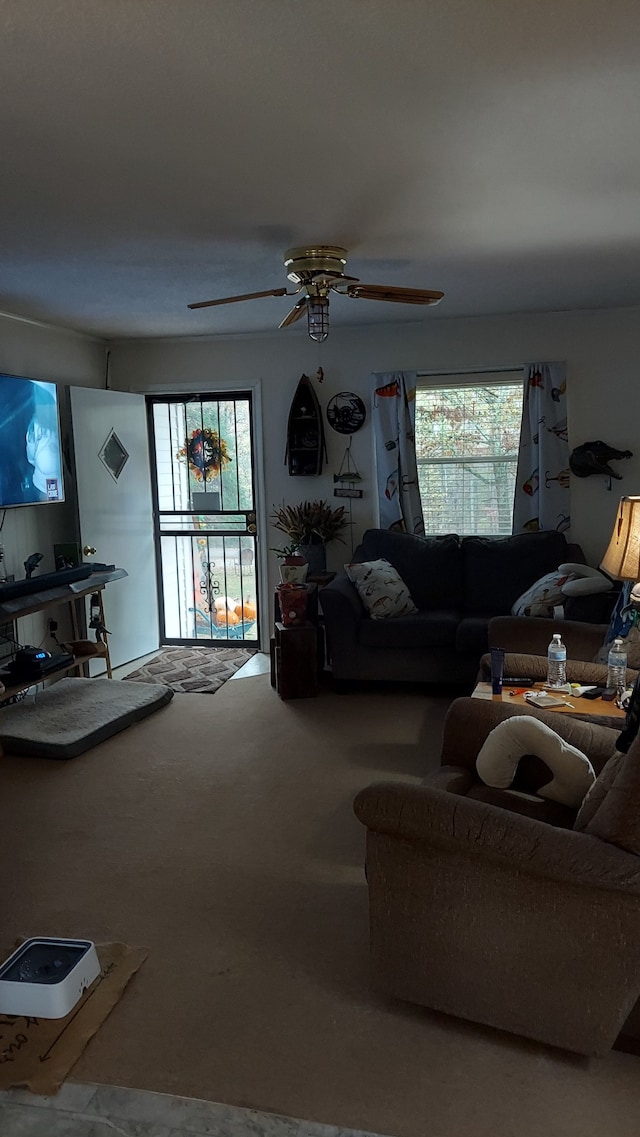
(31, 462)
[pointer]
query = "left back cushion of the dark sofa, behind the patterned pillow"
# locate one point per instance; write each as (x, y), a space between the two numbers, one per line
(431, 567)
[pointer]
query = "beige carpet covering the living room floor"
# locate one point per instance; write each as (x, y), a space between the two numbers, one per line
(220, 835)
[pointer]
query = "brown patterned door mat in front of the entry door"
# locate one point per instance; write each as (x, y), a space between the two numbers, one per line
(192, 670)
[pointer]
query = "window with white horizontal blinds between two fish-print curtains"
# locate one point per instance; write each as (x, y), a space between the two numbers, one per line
(468, 438)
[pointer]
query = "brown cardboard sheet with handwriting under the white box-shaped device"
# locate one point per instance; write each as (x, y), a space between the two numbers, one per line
(39, 1053)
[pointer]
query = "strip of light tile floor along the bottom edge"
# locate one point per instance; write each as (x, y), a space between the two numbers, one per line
(85, 1110)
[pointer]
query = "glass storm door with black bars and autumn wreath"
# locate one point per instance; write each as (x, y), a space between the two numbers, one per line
(205, 519)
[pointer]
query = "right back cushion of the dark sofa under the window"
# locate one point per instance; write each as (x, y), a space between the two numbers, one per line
(497, 570)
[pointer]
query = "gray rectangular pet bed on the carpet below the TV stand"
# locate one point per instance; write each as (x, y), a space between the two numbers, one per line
(76, 715)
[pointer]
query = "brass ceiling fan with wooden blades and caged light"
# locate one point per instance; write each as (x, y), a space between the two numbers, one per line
(319, 271)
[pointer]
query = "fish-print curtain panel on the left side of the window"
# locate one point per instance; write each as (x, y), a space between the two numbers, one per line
(394, 417)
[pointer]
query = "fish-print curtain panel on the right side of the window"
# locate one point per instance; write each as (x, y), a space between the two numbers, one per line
(543, 479)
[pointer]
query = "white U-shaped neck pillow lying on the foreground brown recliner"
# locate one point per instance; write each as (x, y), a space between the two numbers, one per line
(497, 761)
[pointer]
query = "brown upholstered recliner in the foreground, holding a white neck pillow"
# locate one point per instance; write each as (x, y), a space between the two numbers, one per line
(495, 916)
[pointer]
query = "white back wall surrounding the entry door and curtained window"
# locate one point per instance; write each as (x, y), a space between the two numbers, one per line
(602, 350)
